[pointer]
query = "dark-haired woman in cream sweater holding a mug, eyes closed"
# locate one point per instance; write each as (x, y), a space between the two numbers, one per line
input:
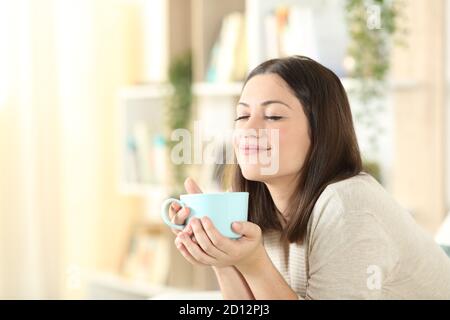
(319, 227)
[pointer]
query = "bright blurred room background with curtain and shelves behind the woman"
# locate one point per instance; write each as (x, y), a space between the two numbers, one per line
(90, 91)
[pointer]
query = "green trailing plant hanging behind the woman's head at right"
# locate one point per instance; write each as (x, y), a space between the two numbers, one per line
(373, 27)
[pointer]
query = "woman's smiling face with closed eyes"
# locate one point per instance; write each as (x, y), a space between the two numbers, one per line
(270, 124)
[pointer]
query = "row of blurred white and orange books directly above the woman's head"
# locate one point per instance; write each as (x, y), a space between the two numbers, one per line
(307, 29)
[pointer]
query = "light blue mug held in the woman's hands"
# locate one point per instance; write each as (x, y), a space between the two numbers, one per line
(223, 208)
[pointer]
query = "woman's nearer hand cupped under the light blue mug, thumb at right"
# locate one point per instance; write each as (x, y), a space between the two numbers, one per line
(212, 248)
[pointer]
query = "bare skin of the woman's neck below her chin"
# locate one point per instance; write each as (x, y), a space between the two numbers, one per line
(281, 190)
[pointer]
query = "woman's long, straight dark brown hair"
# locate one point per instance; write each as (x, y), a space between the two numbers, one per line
(333, 154)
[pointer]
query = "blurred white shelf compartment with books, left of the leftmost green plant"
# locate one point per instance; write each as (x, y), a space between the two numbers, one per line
(140, 124)
